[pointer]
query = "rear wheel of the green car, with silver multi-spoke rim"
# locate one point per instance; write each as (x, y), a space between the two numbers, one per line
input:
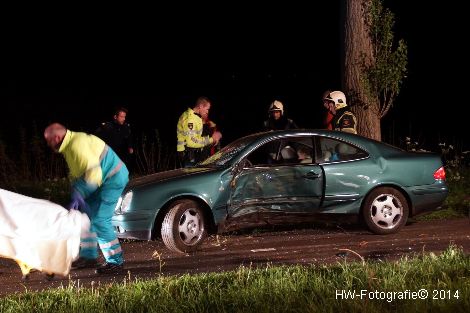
(385, 210)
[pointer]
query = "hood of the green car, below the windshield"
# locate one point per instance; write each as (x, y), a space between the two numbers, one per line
(167, 175)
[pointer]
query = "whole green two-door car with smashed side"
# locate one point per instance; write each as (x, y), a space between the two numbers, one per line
(282, 176)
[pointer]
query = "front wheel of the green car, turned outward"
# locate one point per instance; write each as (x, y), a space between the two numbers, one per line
(183, 228)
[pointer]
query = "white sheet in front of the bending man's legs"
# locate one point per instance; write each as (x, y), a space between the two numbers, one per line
(43, 235)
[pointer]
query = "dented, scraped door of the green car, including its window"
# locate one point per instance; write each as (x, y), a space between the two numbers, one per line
(290, 185)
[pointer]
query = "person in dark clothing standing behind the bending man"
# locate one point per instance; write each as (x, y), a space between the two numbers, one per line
(117, 134)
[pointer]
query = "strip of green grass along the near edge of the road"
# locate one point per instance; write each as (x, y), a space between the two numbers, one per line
(428, 282)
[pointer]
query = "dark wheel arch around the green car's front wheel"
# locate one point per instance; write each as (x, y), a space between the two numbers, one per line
(158, 220)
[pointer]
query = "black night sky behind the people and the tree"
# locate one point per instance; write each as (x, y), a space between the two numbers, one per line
(74, 70)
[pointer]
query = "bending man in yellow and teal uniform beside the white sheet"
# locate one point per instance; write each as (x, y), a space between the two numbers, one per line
(98, 178)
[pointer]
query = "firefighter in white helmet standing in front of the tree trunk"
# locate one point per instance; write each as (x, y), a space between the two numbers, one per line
(337, 108)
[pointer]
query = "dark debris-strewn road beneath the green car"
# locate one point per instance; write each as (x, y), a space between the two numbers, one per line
(317, 245)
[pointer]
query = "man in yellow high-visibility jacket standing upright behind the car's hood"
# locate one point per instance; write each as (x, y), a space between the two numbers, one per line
(189, 133)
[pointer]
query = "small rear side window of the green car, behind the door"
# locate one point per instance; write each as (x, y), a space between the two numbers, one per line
(332, 150)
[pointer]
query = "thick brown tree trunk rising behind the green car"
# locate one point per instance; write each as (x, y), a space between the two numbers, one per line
(357, 54)
